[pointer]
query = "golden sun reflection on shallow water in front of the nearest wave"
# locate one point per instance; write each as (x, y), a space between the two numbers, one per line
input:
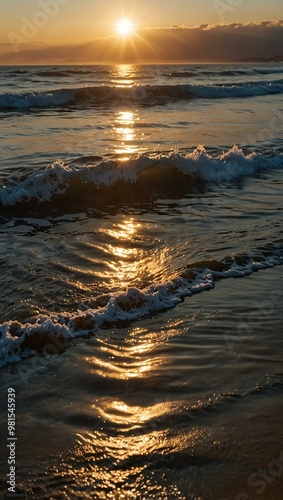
(132, 431)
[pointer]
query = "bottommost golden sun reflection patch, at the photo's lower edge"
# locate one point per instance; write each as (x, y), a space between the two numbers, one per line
(121, 466)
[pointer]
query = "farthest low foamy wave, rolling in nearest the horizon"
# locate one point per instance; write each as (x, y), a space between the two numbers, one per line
(144, 94)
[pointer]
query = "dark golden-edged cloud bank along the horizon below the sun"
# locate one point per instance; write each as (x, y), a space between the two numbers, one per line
(204, 43)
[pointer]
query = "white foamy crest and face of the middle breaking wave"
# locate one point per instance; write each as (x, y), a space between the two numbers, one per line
(55, 180)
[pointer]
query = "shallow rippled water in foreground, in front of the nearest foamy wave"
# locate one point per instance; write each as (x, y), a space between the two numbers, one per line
(186, 404)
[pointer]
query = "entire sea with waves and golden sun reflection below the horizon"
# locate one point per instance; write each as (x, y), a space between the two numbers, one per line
(141, 284)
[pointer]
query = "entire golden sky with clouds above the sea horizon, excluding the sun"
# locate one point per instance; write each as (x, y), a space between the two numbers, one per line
(84, 31)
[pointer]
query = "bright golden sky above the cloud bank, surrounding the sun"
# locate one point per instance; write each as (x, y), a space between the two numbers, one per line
(76, 20)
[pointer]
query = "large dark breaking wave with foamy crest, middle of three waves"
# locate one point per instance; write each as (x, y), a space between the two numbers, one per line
(61, 182)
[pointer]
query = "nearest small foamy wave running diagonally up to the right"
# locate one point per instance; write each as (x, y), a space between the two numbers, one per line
(50, 334)
